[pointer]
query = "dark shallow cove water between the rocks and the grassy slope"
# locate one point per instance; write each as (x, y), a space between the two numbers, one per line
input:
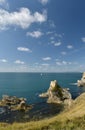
(39, 111)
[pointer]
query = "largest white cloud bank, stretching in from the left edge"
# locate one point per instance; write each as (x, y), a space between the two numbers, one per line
(23, 18)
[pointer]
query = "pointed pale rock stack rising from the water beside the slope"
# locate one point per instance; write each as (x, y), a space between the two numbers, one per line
(56, 94)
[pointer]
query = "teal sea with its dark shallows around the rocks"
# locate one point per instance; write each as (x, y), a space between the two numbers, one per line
(30, 85)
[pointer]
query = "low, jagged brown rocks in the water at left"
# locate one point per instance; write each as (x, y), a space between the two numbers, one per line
(14, 103)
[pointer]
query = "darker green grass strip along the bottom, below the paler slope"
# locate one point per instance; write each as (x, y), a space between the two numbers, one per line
(73, 124)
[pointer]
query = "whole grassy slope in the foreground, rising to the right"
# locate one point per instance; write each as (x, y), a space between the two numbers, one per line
(72, 119)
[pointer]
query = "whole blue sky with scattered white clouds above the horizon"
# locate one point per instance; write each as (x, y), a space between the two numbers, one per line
(42, 35)
